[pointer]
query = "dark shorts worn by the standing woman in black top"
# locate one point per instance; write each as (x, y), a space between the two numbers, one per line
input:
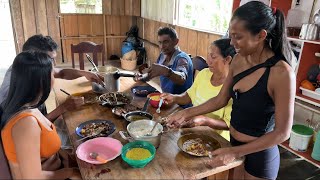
(263, 164)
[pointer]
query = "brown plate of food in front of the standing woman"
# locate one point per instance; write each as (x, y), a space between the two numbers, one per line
(198, 144)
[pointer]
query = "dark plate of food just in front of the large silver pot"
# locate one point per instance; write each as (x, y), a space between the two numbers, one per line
(115, 98)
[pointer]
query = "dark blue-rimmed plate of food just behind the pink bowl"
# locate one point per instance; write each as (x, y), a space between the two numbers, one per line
(89, 128)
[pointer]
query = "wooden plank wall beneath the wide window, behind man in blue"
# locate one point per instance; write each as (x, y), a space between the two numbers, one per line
(191, 41)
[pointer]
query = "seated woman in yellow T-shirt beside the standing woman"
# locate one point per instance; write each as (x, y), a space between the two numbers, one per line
(208, 84)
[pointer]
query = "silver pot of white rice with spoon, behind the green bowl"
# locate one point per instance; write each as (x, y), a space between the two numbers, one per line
(154, 139)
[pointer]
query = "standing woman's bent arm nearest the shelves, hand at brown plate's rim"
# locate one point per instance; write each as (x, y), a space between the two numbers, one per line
(283, 93)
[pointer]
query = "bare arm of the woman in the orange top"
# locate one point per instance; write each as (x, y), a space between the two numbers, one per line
(26, 137)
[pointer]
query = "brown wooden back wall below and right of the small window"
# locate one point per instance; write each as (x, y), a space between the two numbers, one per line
(117, 18)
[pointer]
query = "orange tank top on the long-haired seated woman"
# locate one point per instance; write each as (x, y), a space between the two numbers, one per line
(50, 142)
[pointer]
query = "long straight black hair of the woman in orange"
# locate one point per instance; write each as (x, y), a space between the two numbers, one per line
(30, 83)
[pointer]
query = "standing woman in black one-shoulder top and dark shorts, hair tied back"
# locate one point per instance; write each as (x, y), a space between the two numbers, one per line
(261, 83)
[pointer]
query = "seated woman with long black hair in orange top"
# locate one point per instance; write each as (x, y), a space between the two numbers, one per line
(28, 137)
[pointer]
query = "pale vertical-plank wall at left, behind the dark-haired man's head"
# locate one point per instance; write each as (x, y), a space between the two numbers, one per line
(32, 17)
